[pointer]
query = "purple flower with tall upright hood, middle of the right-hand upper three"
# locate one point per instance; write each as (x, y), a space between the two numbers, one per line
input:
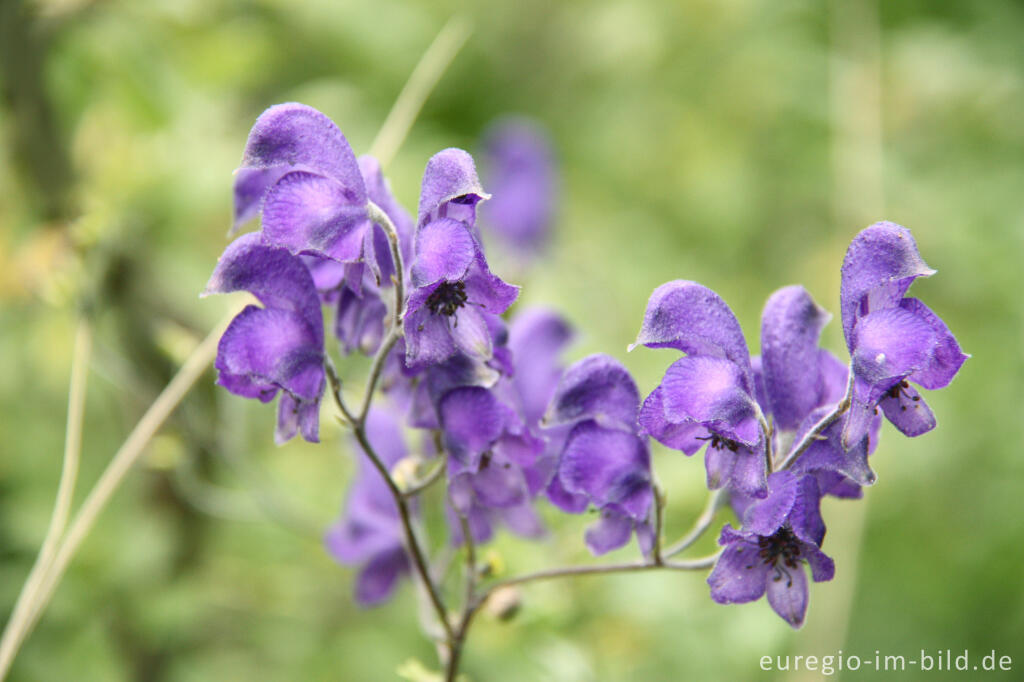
(802, 383)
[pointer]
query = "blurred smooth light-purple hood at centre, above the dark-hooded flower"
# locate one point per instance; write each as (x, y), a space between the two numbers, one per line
(537, 338)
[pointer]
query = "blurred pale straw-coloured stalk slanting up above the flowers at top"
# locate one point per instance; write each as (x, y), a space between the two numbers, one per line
(421, 83)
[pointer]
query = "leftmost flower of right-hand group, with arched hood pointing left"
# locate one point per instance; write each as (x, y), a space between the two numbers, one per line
(709, 396)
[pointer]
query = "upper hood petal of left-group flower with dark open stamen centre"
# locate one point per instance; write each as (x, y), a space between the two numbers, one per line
(451, 189)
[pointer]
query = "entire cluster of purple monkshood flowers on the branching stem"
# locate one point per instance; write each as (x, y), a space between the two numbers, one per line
(502, 422)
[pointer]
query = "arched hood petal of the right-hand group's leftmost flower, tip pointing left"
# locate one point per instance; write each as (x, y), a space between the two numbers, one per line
(692, 318)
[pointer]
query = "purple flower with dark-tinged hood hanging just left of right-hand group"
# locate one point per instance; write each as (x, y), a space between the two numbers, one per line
(605, 460)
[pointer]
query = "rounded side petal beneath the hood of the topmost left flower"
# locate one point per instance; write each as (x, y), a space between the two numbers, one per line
(310, 214)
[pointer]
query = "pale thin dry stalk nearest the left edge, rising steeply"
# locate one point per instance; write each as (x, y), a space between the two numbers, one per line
(22, 616)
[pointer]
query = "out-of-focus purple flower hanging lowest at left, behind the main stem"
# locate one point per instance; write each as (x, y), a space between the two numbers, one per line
(369, 534)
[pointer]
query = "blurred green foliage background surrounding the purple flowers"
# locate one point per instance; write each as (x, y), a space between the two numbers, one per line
(738, 143)
